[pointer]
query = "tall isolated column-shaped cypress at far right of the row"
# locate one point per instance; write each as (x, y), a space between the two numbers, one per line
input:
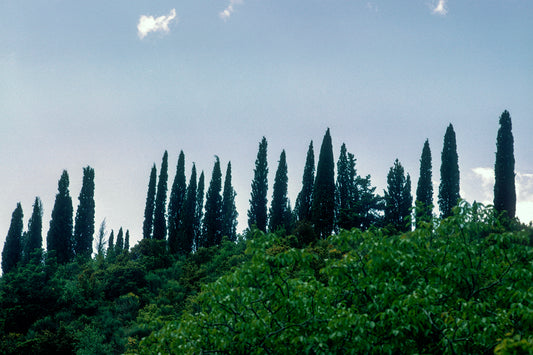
(504, 184)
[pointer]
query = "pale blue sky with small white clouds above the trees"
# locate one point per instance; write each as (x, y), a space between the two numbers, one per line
(113, 84)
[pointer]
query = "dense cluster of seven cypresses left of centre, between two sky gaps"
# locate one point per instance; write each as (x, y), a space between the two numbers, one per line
(189, 224)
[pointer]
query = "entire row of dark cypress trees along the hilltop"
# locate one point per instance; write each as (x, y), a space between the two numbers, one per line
(323, 204)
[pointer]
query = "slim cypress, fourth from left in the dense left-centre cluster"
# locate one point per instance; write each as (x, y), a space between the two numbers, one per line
(187, 232)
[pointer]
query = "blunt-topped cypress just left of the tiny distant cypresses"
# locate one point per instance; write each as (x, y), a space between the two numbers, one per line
(84, 227)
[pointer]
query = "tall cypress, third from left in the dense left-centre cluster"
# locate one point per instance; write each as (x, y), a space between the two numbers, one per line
(175, 205)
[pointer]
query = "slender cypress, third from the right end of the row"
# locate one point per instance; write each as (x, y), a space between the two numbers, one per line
(424, 188)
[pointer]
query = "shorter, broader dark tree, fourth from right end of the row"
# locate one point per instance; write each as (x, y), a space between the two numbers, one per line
(398, 198)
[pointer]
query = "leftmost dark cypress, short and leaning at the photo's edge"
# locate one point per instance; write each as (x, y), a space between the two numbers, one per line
(12, 252)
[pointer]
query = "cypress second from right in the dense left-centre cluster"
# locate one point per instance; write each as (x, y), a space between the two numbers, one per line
(212, 226)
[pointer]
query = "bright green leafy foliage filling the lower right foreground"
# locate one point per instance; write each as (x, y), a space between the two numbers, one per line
(460, 286)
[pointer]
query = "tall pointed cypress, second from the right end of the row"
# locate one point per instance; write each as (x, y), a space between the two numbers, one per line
(449, 174)
